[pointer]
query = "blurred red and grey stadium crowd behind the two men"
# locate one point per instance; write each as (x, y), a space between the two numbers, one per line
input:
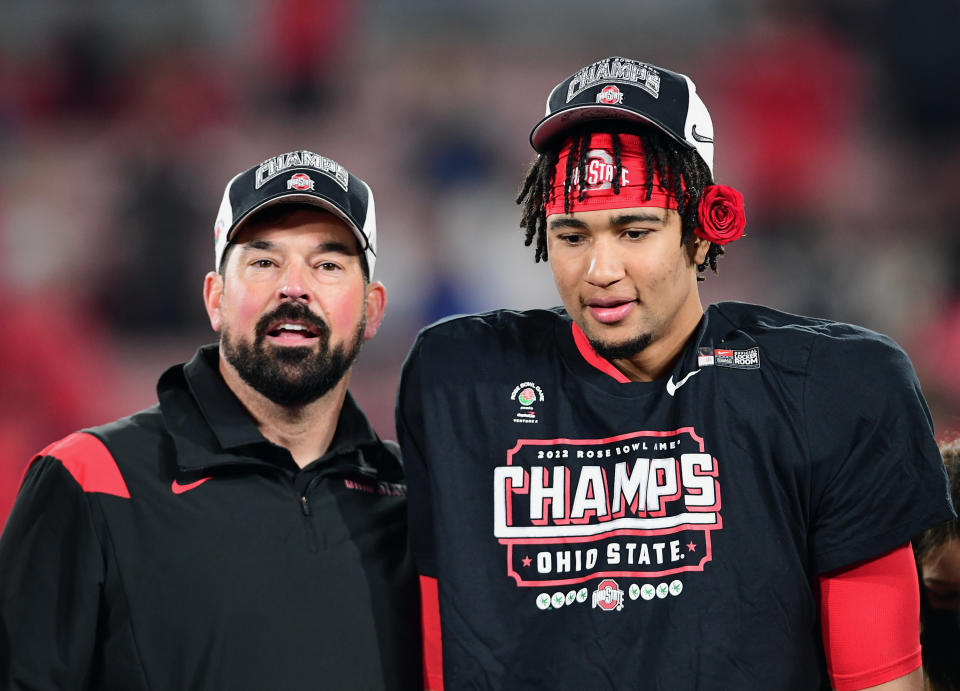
(121, 122)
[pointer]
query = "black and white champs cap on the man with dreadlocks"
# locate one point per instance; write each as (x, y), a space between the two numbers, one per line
(623, 89)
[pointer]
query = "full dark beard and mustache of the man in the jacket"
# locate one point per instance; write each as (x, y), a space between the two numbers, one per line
(291, 376)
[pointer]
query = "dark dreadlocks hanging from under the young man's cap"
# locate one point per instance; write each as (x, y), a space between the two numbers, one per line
(682, 169)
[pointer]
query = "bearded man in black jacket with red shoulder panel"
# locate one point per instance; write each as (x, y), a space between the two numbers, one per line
(249, 530)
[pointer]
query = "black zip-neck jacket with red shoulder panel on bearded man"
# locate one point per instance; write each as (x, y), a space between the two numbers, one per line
(179, 549)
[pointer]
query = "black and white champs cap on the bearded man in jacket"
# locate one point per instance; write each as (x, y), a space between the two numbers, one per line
(298, 177)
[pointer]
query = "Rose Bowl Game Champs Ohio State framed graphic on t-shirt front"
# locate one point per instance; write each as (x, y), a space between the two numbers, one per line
(638, 505)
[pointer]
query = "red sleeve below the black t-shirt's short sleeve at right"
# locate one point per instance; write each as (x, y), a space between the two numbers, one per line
(870, 617)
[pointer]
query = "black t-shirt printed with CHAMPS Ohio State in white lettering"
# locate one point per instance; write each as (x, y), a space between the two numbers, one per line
(591, 533)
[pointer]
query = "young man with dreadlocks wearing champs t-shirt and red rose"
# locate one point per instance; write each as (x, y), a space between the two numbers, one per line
(632, 492)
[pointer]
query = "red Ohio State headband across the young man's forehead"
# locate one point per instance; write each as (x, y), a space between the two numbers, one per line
(600, 170)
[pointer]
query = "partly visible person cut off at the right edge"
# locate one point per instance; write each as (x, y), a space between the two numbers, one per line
(937, 552)
